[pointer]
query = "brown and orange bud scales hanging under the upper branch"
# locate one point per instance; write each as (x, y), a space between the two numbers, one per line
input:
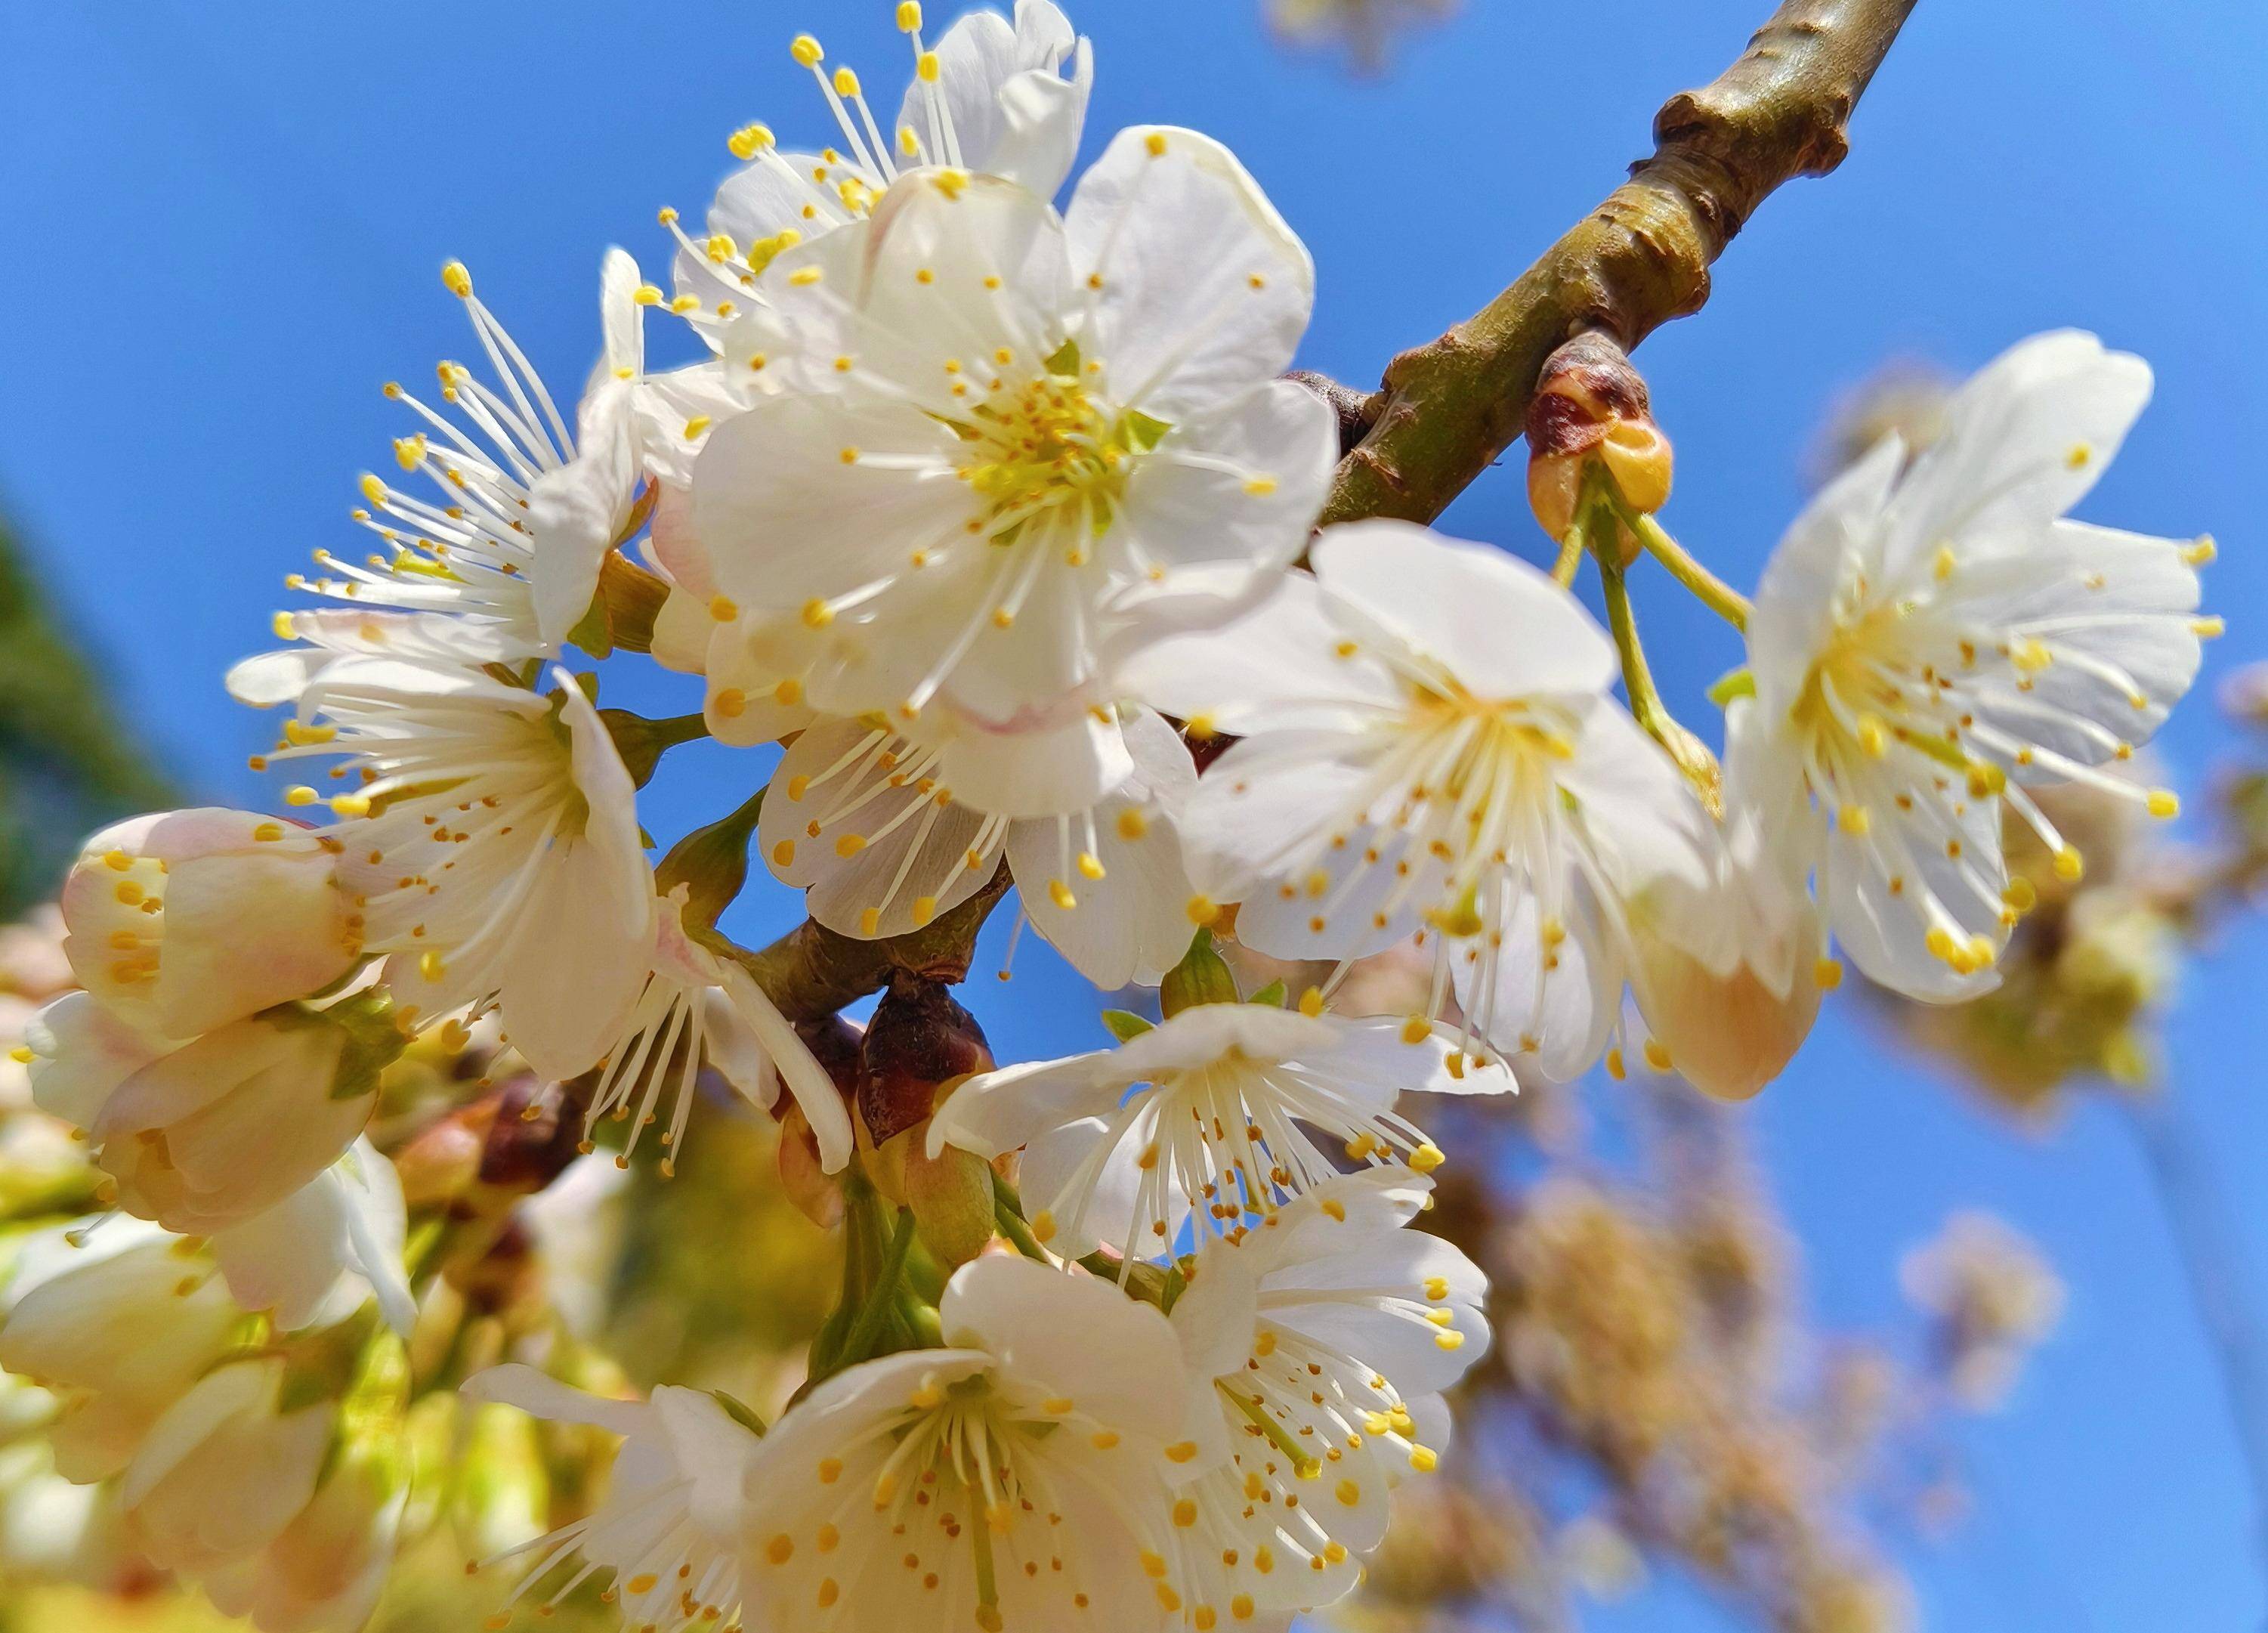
(1591, 412)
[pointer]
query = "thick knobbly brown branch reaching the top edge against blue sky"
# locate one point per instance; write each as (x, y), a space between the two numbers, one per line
(1448, 409)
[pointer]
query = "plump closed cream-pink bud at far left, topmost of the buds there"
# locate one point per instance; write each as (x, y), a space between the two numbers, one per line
(198, 917)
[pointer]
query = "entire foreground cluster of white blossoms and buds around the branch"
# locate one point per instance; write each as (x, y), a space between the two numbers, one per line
(999, 518)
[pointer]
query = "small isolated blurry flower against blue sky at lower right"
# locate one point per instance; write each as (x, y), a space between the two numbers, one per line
(1992, 1298)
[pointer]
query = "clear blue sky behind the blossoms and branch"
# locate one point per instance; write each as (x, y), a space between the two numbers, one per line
(223, 232)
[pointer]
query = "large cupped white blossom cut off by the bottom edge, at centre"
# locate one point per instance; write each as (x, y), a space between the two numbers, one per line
(1013, 1480)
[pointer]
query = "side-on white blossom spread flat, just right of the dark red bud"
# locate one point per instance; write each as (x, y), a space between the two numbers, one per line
(1208, 1122)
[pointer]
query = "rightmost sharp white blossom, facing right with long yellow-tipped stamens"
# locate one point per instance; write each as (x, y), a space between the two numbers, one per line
(1931, 641)
